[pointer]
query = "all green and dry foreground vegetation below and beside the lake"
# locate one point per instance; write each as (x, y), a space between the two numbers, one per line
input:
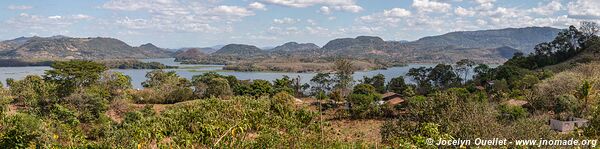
(78, 104)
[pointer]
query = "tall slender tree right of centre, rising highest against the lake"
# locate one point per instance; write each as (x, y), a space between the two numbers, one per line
(343, 72)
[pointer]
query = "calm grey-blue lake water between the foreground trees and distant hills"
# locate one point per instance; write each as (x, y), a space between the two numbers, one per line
(187, 71)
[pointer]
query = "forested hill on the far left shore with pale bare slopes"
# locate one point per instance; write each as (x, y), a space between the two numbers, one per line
(62, 47)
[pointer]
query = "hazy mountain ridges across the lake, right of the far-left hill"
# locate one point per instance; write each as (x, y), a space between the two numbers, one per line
(484, 46)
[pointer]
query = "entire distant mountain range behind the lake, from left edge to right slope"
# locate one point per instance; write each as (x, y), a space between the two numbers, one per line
(485, 46)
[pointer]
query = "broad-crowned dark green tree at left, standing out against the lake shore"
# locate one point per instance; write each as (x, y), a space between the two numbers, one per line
(74, 74)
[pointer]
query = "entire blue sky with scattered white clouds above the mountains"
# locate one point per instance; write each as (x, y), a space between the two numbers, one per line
(199, 23)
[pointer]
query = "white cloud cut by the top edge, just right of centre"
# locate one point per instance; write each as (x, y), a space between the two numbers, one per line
(341, 5)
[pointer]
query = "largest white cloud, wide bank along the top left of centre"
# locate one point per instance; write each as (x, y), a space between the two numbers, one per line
(182, 16)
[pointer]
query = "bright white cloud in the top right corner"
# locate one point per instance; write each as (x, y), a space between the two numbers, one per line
(584, 9)
